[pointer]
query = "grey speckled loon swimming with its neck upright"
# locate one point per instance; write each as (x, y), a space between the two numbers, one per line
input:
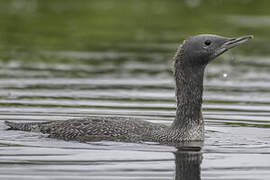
(188, 126)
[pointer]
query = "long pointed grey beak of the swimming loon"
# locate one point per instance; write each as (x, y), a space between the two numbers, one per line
(231, 43)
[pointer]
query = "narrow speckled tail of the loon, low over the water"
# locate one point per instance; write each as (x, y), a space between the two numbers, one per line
(32, 126)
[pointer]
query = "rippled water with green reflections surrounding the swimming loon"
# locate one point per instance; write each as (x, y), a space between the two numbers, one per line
(61, 60)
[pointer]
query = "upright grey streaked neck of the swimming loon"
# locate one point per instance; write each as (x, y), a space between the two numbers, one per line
(189, 91)
